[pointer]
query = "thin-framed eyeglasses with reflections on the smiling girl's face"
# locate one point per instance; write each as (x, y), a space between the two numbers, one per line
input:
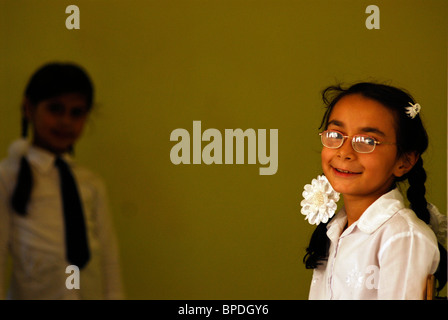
(360, 143)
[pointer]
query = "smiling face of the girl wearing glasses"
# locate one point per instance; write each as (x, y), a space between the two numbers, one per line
(362, 175)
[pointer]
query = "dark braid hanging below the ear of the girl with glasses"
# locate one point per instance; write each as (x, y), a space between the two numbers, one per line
(416, 191)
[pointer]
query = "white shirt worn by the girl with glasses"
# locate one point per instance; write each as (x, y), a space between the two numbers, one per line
(386, 254)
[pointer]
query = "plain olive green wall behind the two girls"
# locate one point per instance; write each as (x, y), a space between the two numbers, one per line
(221, 231)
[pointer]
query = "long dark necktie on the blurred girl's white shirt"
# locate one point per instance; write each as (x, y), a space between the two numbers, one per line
(75, 228)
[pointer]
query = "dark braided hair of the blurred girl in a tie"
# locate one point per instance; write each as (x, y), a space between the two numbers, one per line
(50, 80)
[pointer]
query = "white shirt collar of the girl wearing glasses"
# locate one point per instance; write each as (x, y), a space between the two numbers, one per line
(375, 215)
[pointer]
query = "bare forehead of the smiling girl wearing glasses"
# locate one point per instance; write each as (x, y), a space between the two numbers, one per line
(356, 112)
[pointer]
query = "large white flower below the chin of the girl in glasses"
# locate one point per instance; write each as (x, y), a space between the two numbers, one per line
(319, 203)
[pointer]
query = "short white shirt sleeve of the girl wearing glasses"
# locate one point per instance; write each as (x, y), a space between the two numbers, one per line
(405, 261)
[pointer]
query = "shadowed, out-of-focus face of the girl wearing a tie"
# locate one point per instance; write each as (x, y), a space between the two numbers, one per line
(58, 122)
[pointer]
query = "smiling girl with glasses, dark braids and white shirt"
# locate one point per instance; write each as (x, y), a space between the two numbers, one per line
(374, 247)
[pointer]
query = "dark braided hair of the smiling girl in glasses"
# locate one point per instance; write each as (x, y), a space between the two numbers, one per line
(411, 138)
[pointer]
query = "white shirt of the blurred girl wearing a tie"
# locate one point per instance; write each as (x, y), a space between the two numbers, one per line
(36, 241)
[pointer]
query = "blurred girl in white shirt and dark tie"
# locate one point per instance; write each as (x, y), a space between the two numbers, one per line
(35, 227)
